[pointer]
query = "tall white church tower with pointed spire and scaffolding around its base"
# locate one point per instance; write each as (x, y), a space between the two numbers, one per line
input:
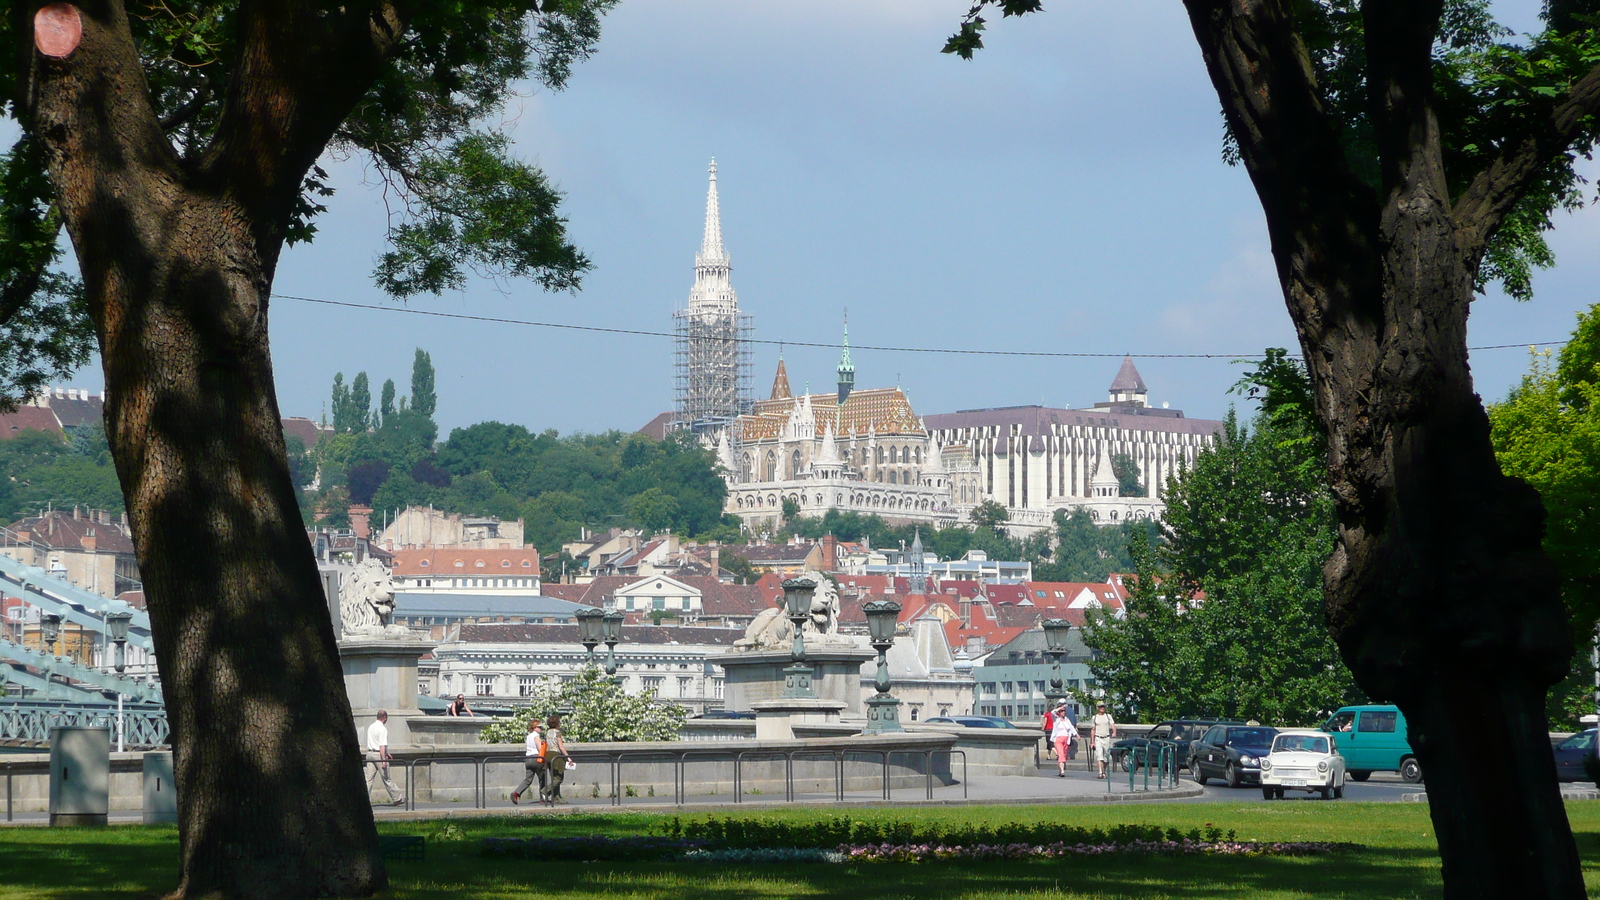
(711, 345)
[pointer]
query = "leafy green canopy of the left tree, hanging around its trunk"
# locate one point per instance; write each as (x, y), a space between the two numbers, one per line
(460, 201)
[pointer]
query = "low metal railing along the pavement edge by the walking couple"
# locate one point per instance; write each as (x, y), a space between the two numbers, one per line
(681, 760)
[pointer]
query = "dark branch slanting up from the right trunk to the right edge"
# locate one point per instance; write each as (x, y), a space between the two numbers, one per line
(1486, 204)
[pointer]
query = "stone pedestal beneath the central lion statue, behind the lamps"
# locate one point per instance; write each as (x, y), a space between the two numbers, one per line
(758, 677)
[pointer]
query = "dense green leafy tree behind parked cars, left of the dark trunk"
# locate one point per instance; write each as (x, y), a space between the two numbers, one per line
(1226, 619)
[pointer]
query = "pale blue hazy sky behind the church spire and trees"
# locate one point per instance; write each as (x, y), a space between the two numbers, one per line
(1062, 193)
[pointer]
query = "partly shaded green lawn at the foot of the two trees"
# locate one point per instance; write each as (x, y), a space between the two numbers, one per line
(1399, 859)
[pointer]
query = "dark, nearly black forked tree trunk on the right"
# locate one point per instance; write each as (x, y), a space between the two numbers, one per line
(1438, 593)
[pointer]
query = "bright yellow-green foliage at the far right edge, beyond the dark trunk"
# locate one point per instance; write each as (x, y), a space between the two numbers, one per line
(1548, 433)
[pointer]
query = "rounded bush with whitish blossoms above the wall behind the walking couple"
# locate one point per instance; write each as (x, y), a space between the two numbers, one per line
(593, 710)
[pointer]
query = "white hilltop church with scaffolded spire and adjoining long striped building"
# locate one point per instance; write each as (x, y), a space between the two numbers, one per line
(868, 451)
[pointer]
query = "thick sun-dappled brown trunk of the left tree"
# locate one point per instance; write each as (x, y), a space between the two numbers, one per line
(178, 260)
